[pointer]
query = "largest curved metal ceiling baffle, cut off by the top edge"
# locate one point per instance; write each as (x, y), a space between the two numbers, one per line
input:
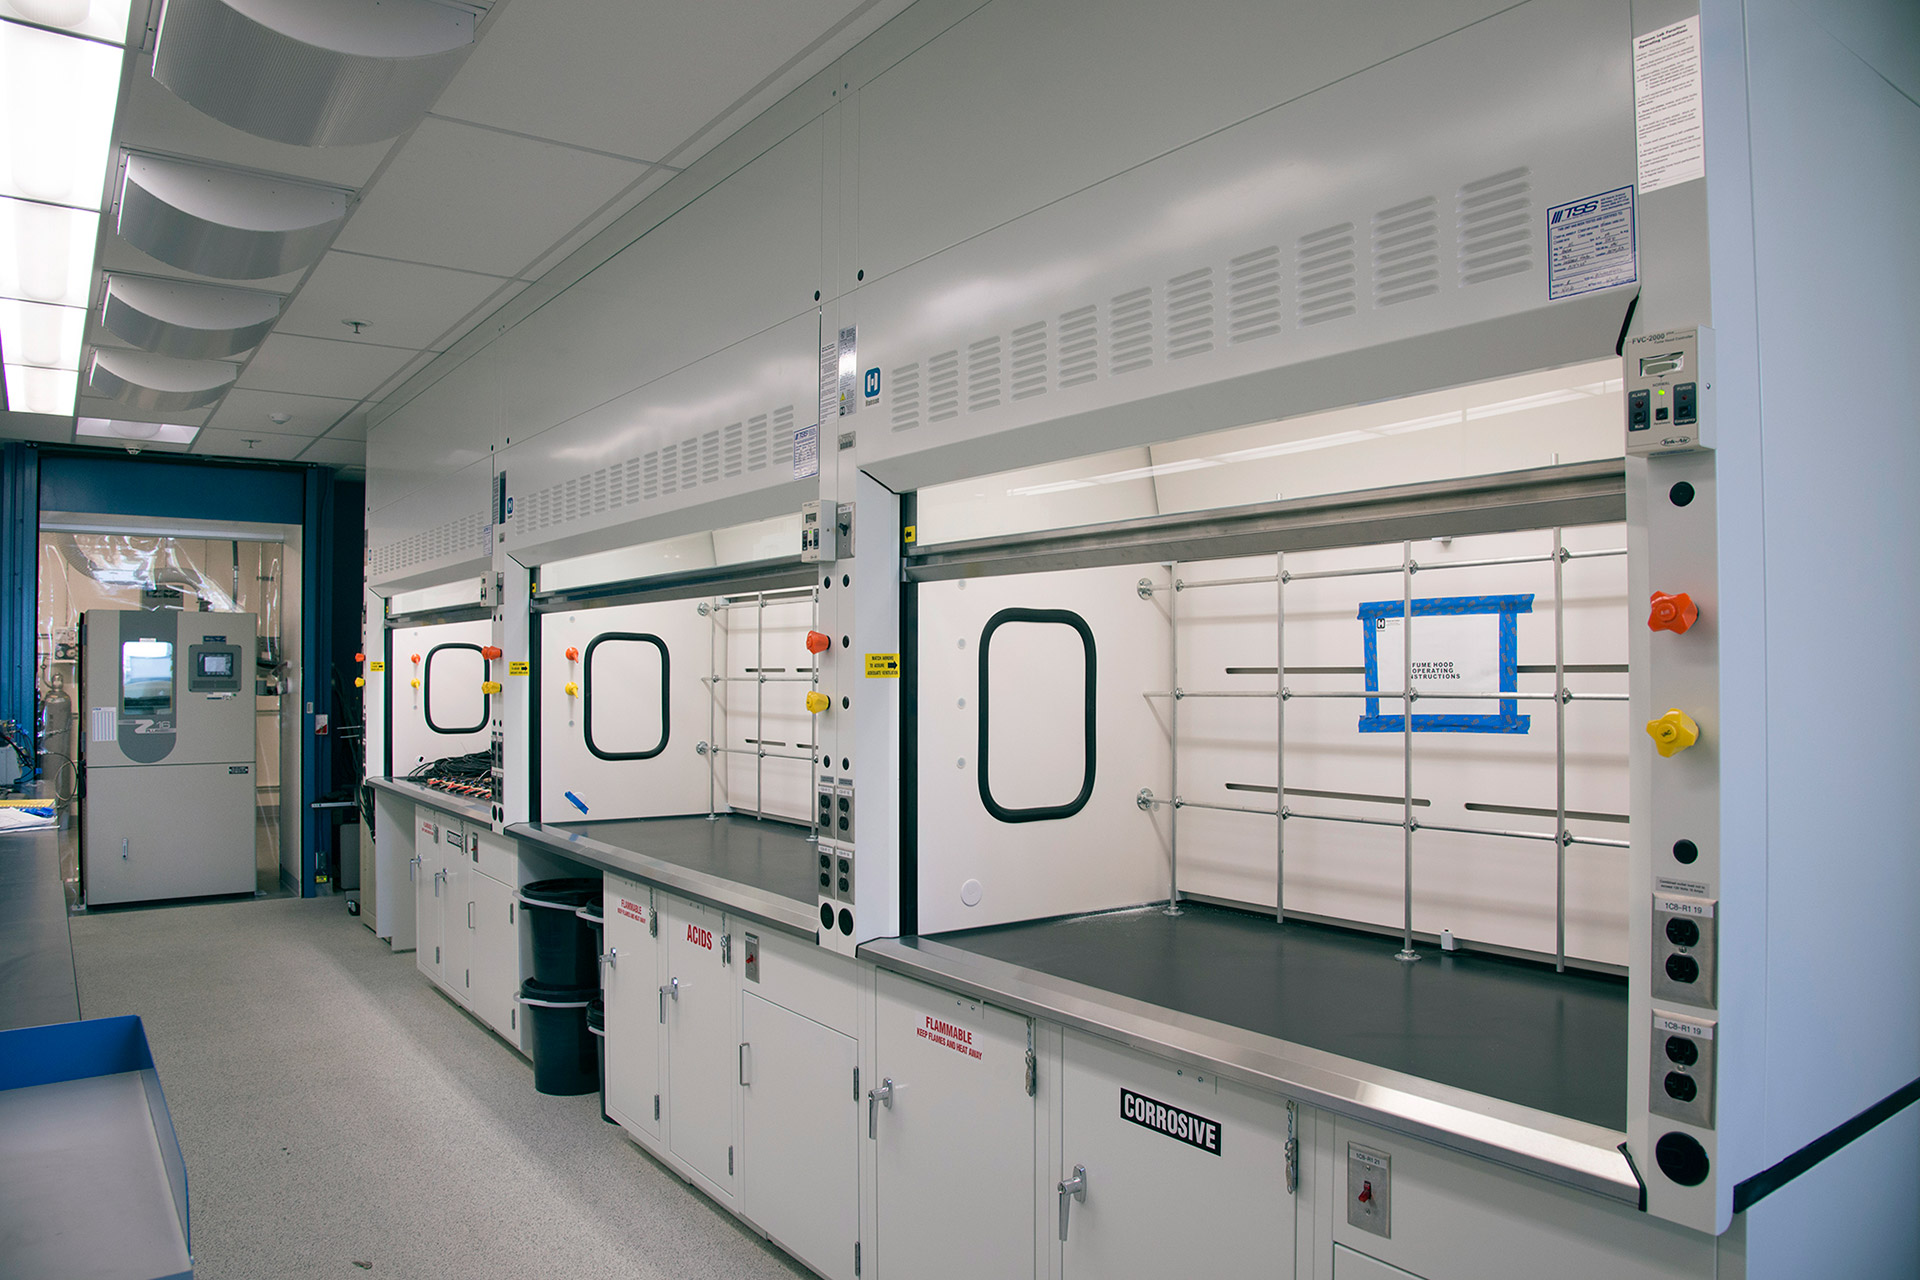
(312, 74)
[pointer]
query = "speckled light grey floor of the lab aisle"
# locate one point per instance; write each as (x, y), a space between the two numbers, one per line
(345, 1120)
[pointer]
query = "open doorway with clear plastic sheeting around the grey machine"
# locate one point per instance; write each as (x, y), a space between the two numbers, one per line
(107, 563)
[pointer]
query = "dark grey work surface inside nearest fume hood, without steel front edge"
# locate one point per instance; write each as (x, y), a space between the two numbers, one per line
(1499, 1028)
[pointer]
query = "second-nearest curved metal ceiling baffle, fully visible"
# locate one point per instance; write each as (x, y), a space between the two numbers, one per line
(224, 224)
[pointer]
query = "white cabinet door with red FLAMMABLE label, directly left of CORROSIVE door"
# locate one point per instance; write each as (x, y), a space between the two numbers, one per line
(955, 1149)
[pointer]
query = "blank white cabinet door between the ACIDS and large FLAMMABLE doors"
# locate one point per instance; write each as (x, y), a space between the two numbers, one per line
(800, 1135)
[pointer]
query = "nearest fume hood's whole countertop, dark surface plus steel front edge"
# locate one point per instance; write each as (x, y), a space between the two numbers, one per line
(1499, 1058)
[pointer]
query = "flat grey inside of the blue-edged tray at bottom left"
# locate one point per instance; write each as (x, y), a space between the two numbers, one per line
(84, 1187)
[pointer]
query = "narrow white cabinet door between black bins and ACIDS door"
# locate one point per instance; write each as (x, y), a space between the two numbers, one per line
(636, 1012)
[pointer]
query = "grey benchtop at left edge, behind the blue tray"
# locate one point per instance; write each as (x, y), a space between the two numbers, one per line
(36, 947)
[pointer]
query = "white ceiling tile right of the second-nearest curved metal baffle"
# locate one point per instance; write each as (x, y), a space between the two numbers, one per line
(481, 201)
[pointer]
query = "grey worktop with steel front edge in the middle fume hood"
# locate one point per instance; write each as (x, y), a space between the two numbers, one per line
(765, 870)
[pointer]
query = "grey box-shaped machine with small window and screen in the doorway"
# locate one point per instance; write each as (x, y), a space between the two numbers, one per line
(168, 807)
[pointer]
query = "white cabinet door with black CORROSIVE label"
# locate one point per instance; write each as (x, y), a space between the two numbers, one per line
(1186, 1177)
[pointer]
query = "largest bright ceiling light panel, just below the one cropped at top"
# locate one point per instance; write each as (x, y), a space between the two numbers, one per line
(59, 133)
